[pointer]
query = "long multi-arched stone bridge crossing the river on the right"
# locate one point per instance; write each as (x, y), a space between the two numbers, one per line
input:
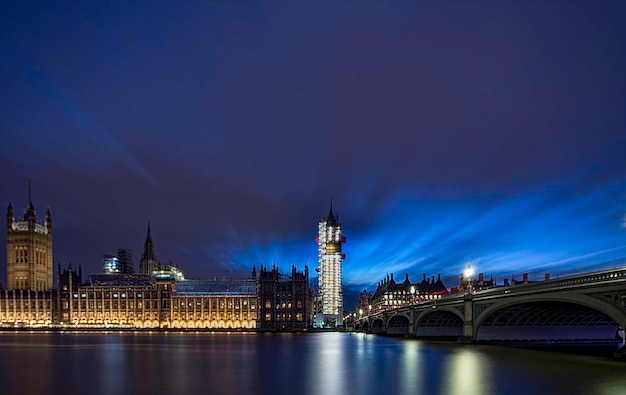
(586, 307)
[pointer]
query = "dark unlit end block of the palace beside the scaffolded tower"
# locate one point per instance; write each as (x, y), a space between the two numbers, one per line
(286, 302)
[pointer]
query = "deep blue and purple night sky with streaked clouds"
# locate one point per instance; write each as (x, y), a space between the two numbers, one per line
(445, 133)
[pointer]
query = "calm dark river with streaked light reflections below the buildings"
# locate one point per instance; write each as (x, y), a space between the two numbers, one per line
(312, 363)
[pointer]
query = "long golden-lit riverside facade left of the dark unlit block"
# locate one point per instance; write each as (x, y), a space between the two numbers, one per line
(126, 308)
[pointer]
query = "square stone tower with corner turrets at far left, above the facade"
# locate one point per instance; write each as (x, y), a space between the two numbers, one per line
(29, 250)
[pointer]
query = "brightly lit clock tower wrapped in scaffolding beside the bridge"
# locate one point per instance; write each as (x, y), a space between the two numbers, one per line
(330, 259)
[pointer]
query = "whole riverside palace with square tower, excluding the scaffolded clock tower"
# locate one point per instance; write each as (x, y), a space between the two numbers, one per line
(155, 299)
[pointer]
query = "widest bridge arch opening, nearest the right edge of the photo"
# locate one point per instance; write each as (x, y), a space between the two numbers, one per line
(548, 317)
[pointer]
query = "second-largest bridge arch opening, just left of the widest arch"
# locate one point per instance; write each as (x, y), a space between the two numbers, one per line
(440, 322)
